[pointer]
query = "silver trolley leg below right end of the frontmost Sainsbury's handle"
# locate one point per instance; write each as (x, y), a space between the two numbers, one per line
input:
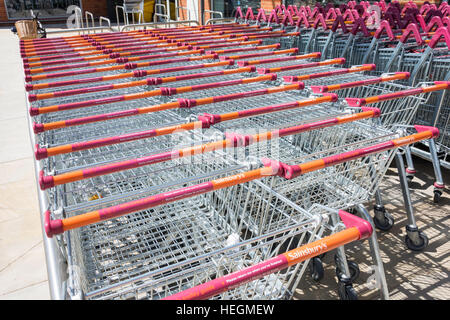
(375, 252)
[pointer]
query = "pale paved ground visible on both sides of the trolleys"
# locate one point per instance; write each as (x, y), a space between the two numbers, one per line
(22, 262)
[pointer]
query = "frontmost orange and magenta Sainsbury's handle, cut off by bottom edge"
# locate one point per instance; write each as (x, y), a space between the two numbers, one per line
(356, 229)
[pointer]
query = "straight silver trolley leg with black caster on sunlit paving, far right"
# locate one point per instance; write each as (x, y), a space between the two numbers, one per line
(415, 239)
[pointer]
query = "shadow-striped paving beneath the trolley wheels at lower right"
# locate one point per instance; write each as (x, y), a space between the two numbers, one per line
(409, 275)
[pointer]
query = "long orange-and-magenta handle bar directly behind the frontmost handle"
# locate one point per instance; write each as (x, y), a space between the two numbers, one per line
(271, 168)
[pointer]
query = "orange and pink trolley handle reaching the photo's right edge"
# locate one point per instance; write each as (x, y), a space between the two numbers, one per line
(358, 102)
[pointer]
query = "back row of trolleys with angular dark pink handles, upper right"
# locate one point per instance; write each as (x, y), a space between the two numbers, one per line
(407, 39)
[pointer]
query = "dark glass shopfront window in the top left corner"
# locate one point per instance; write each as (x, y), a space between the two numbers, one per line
(20, 9)
